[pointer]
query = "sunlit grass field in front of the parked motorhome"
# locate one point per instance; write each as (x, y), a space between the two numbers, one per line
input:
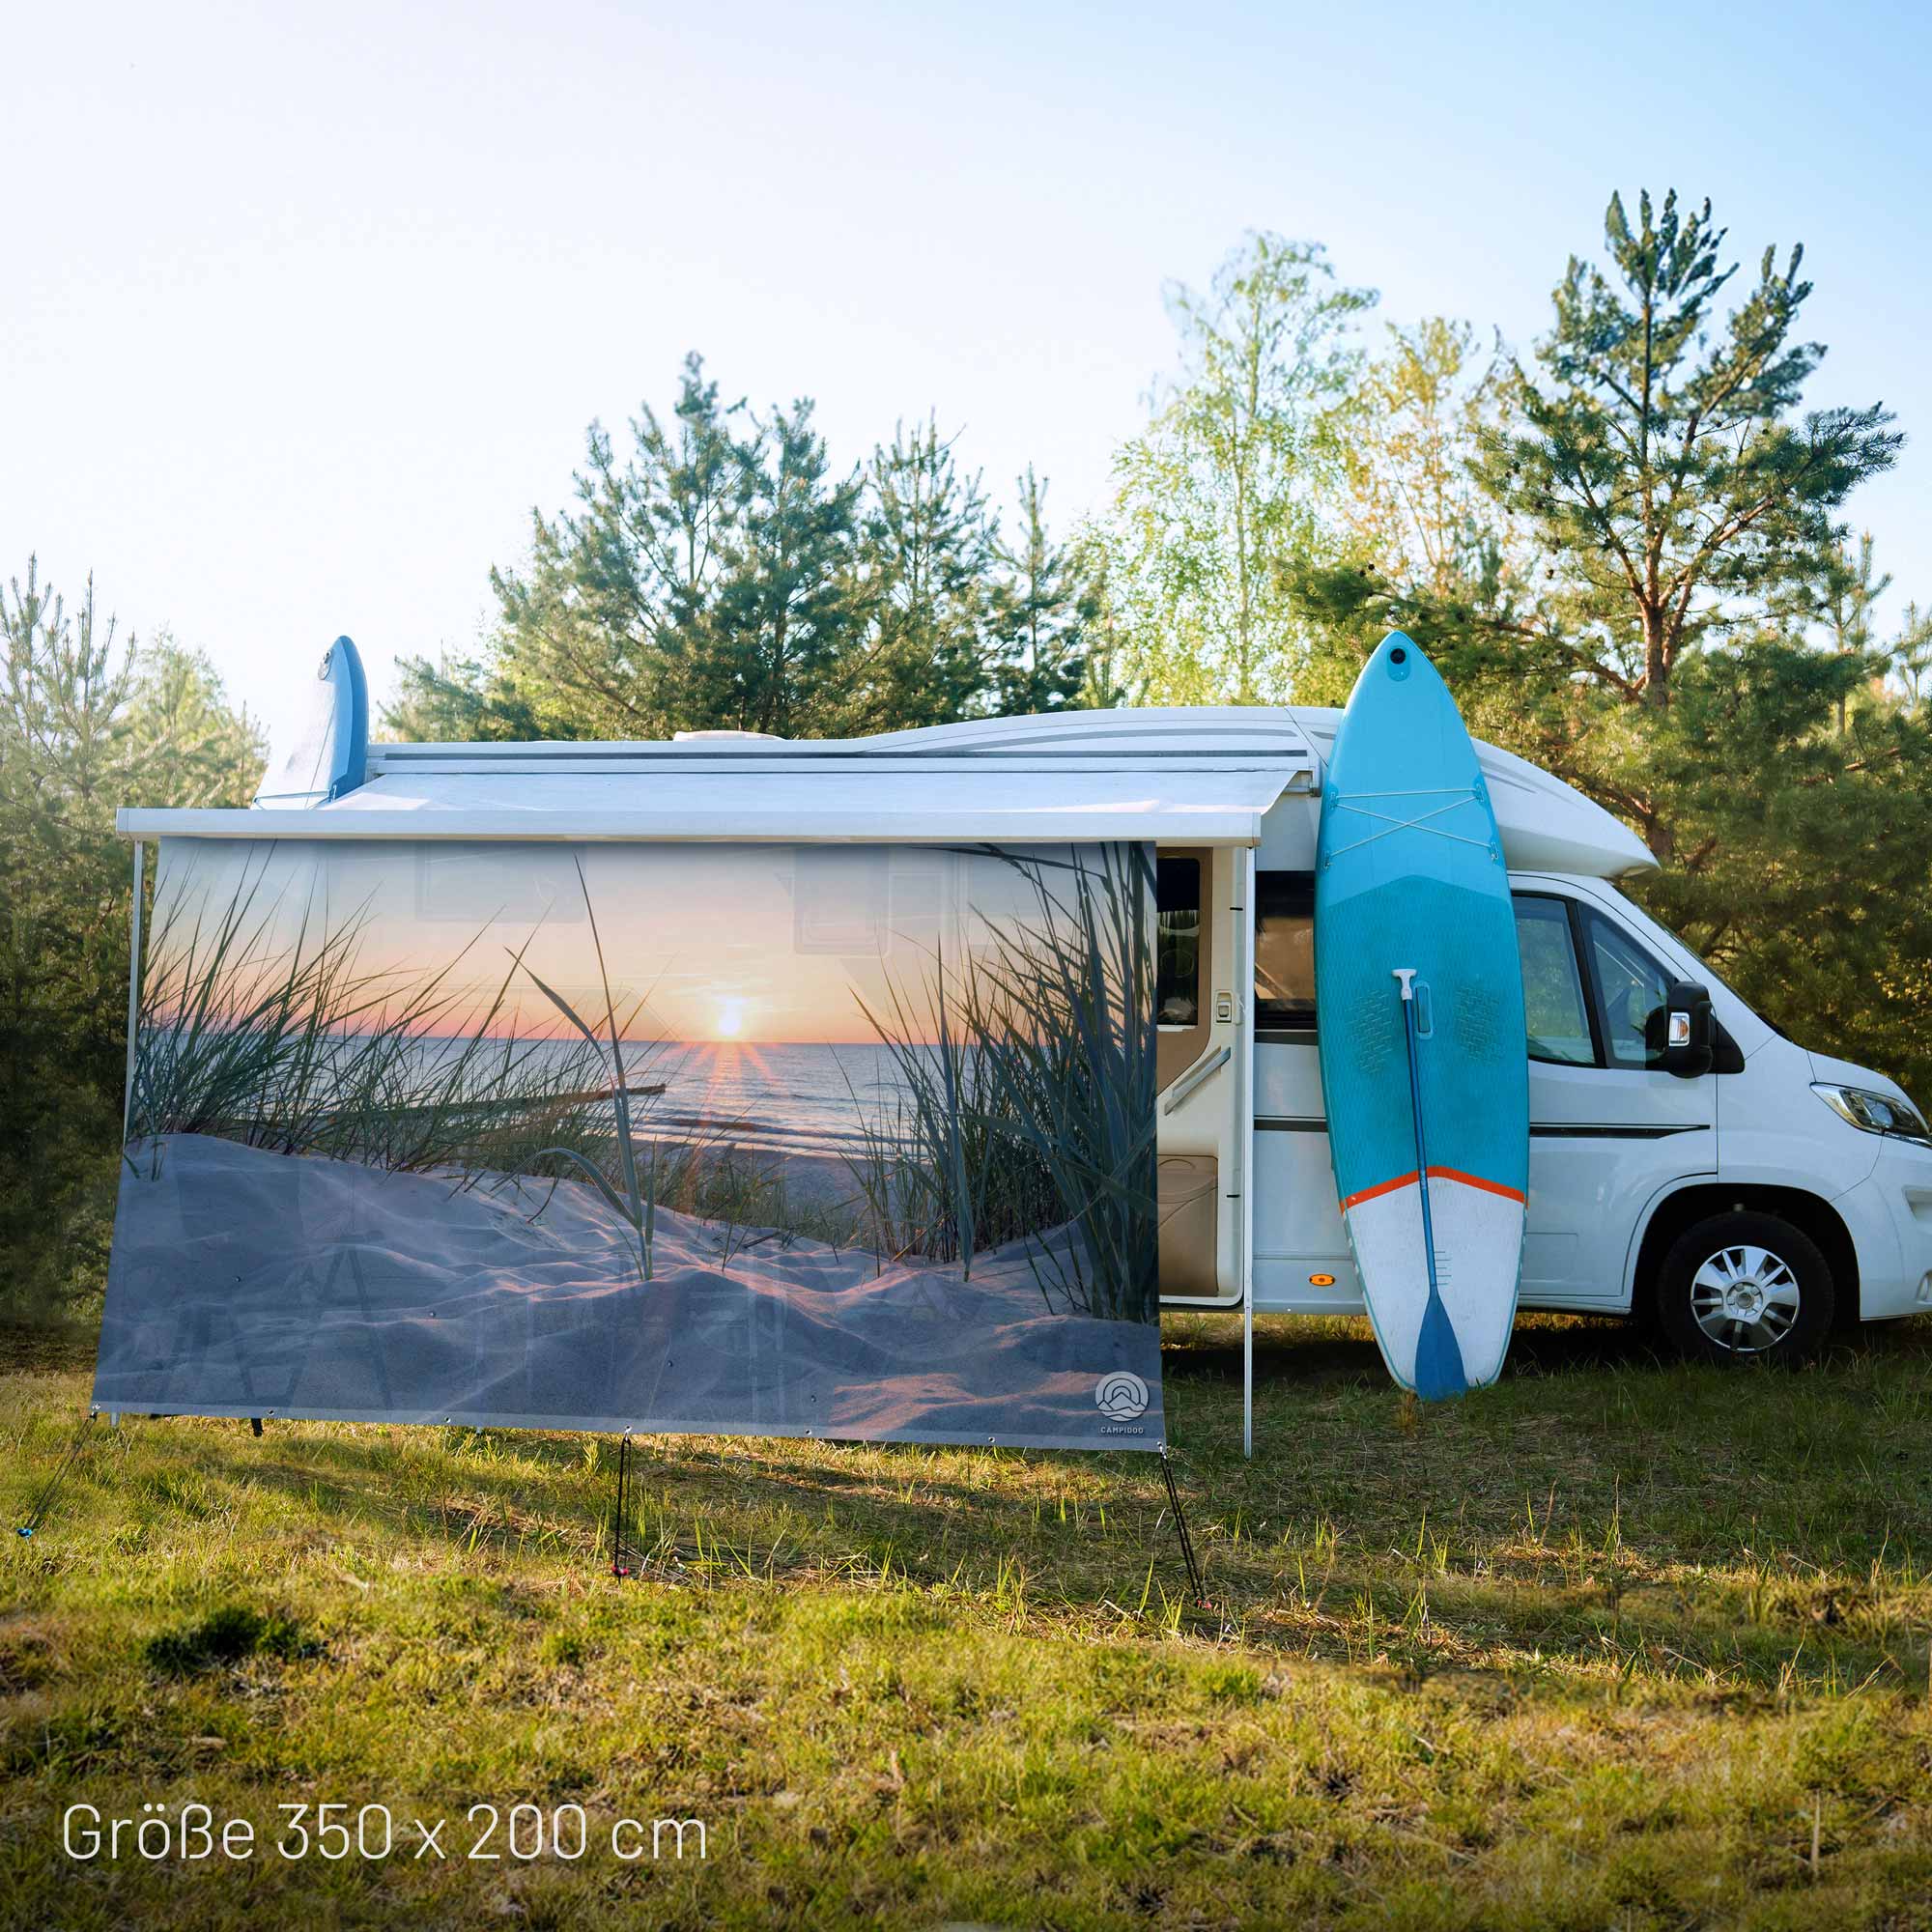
(1610, 1645)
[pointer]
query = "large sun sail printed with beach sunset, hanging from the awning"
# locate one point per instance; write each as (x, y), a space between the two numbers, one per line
(776, 1141)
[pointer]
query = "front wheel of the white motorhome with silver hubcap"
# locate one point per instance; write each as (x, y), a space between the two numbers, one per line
(1746, 1288)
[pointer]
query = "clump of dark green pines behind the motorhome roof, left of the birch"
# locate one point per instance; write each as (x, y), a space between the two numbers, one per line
(720, 575)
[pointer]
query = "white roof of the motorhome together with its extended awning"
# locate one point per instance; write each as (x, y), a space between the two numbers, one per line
(1187, 776)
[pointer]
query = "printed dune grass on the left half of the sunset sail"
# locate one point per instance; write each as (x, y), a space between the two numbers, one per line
(281, 1040)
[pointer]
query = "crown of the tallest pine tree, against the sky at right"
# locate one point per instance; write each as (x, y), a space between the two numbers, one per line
(1659, 461)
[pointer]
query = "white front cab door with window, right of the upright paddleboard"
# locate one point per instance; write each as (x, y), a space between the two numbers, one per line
(1608, 1127)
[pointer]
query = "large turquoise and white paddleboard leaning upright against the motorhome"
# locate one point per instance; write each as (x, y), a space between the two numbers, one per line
(1419, 1009)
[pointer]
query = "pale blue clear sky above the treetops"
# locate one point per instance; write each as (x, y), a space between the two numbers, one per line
(308, 308)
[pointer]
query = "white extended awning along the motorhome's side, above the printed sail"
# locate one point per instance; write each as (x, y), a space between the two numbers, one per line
(874, 801)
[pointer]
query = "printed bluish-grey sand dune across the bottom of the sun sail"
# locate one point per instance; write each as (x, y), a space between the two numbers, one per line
(248, 1282)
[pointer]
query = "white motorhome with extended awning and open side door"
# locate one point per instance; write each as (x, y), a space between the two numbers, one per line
(1690, 1162)
